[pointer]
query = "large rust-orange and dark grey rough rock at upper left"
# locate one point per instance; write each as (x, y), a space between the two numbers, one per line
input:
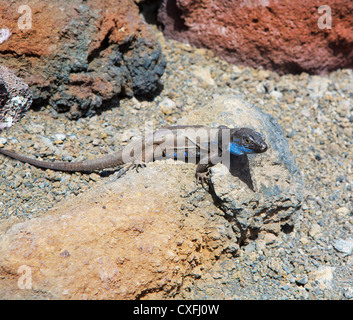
(79, 57)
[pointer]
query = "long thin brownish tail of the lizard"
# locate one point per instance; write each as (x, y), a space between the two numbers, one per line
(83, 166)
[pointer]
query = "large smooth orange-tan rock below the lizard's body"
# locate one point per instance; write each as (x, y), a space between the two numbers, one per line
(125, 240)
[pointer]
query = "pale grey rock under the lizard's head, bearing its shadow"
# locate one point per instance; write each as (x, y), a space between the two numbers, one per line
(257, 189)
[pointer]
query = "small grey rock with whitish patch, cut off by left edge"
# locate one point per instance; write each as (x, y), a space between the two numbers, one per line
(15, 98)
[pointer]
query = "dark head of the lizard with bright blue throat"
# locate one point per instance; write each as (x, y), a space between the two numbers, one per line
(245, 140)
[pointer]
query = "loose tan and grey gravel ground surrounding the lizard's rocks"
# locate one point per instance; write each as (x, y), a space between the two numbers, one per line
(312, 261)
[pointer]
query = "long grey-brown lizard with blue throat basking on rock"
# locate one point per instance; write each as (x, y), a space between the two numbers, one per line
(205, 146)
